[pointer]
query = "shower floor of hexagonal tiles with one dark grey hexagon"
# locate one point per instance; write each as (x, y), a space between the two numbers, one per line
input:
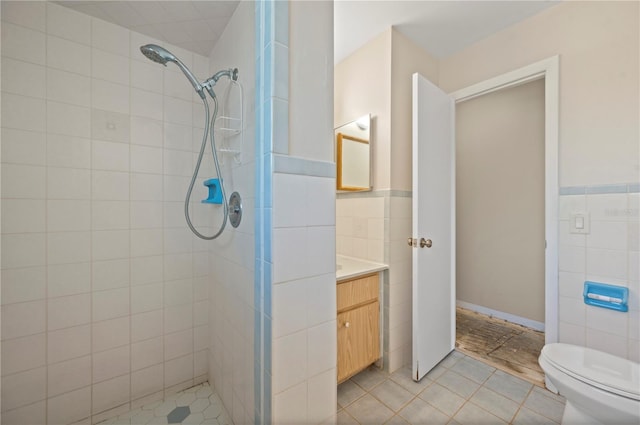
(205, 407)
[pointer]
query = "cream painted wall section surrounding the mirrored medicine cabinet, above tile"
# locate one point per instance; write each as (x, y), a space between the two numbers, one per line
(361, 86)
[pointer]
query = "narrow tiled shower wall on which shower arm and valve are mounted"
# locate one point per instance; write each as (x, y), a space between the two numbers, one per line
(231, 256)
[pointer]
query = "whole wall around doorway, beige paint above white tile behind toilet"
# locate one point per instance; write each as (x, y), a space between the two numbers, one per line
(598, 44)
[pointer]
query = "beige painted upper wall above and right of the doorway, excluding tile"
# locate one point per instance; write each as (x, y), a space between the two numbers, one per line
(598, 44)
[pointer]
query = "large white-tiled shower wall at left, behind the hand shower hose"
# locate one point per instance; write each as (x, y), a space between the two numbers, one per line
(104, 289)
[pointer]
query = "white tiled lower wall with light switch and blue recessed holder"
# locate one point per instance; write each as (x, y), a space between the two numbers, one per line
(610, 254)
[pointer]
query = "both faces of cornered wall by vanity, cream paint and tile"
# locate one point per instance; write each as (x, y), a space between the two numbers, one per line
(376, 79)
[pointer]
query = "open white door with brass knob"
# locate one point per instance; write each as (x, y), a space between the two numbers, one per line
(433, 236)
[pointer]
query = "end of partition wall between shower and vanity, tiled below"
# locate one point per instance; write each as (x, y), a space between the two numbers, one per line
(302, 241)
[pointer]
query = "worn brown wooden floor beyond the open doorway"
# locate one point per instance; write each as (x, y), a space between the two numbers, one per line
(506, 346)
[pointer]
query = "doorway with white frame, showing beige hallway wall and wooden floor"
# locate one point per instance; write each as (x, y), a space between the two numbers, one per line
(506, 160)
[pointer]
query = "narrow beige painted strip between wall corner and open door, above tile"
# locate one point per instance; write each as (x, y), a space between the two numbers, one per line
(406, 59)
